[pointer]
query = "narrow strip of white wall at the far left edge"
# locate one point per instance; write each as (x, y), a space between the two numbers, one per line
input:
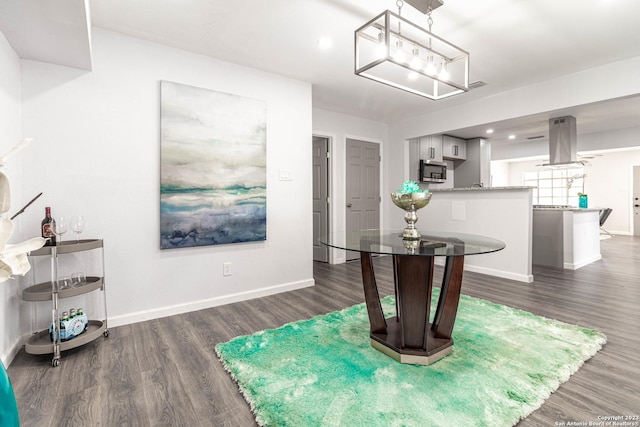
(9, 136)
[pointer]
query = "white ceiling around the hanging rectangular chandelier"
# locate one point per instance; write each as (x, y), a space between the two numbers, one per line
(512, 43)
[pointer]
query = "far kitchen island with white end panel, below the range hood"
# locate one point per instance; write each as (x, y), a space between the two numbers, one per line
(565, 237)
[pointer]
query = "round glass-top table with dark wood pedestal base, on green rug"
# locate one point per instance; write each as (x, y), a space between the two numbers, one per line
(410, 336)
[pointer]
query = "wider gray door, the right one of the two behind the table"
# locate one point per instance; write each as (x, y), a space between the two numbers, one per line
(362, 187)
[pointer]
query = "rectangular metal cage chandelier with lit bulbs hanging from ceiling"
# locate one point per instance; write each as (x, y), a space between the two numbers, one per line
(392, 50)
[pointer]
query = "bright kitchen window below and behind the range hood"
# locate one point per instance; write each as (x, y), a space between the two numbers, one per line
(555, 186)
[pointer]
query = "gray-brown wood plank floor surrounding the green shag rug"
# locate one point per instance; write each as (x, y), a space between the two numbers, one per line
(164, 372)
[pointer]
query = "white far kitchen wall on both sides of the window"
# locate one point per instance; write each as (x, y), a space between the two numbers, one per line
(608, 183)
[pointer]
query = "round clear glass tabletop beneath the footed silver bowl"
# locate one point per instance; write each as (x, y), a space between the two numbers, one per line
(432, 243)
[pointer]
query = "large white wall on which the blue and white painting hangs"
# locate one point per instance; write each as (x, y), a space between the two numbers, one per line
(97, 155)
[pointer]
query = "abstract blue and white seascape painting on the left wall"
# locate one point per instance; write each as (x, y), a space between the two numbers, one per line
(213, 167)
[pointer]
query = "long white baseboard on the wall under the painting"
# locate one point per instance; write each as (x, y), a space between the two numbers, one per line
(157, 313)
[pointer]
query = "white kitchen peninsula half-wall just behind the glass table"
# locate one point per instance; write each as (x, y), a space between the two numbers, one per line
(504, 213)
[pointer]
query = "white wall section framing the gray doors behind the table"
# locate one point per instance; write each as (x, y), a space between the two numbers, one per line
(340, 127)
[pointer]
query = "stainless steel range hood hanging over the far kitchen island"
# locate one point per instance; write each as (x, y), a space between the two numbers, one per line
(563, 143)
